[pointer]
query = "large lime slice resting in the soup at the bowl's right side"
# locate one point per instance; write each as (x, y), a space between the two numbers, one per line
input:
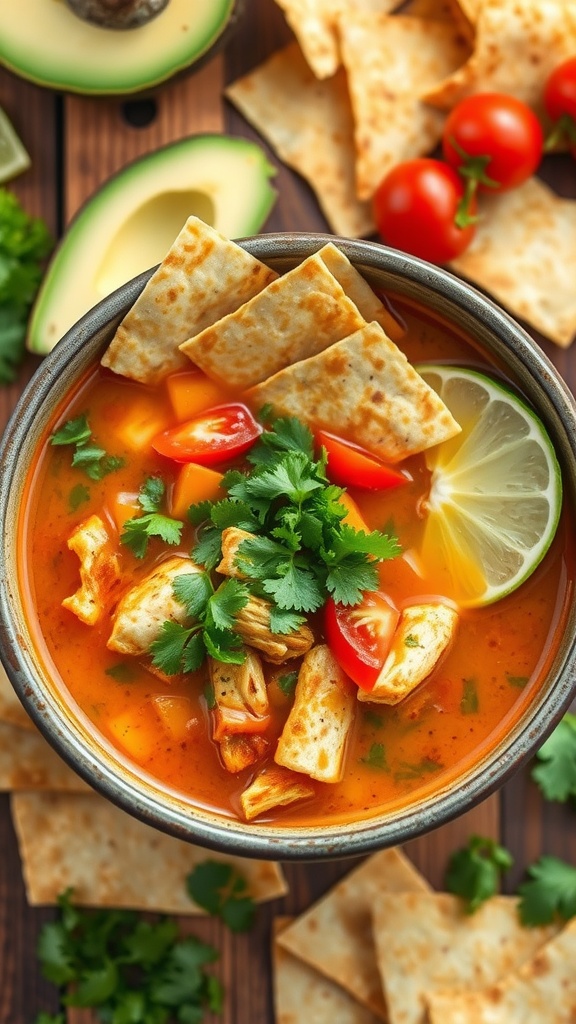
(496, 492)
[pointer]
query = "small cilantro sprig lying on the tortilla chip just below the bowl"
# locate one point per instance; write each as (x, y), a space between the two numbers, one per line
(223, 891)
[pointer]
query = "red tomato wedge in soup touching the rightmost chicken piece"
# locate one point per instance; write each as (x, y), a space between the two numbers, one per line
(360, 637)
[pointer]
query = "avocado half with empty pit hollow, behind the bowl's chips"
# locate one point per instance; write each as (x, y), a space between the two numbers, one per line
(131, 223)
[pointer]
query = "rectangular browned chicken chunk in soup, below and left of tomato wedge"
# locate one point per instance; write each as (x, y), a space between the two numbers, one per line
(314, 738)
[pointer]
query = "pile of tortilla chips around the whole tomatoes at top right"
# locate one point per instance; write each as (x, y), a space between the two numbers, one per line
(366, 87)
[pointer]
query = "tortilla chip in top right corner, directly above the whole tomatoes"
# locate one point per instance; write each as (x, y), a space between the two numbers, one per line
(518, 45)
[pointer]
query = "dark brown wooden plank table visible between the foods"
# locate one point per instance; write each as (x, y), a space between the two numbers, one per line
(76, 144)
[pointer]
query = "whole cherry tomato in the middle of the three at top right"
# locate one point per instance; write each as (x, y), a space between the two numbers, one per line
(495, 141)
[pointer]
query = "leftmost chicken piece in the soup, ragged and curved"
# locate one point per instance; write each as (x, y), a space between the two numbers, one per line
(100, 570)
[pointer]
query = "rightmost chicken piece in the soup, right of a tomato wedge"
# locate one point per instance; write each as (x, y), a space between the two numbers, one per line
(420, 641)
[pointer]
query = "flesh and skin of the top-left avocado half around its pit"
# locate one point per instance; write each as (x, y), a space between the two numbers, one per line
(47, 42)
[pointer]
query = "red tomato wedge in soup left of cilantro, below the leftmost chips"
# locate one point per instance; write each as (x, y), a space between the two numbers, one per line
(218, 435)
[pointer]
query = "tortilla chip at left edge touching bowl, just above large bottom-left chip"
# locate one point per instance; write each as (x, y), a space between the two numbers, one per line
(28, 762)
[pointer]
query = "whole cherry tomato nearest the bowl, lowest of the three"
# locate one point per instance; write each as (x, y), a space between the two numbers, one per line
(416, 208)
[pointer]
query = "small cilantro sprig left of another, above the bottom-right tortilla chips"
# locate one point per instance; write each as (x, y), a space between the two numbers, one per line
(474, 872)
